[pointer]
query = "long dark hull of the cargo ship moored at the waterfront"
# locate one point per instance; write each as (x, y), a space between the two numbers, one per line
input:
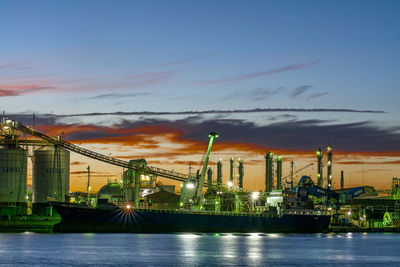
(118, 220)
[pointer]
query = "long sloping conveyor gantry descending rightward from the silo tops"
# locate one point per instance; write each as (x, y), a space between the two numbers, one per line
(94, 155)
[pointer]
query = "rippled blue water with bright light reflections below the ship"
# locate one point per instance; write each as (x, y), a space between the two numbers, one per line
(363, 249)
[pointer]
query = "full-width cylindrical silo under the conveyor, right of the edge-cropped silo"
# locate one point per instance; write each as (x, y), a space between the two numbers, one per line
(50, 177)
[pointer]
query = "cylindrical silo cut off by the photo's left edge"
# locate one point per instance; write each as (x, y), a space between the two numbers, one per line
(13, 178)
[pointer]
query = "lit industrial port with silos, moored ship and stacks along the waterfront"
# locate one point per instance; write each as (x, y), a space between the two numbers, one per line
(137, 203)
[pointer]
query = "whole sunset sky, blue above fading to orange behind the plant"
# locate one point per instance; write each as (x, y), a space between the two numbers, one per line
(151, 79)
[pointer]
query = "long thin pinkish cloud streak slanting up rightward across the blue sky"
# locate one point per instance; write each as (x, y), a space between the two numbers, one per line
(253, 75)
